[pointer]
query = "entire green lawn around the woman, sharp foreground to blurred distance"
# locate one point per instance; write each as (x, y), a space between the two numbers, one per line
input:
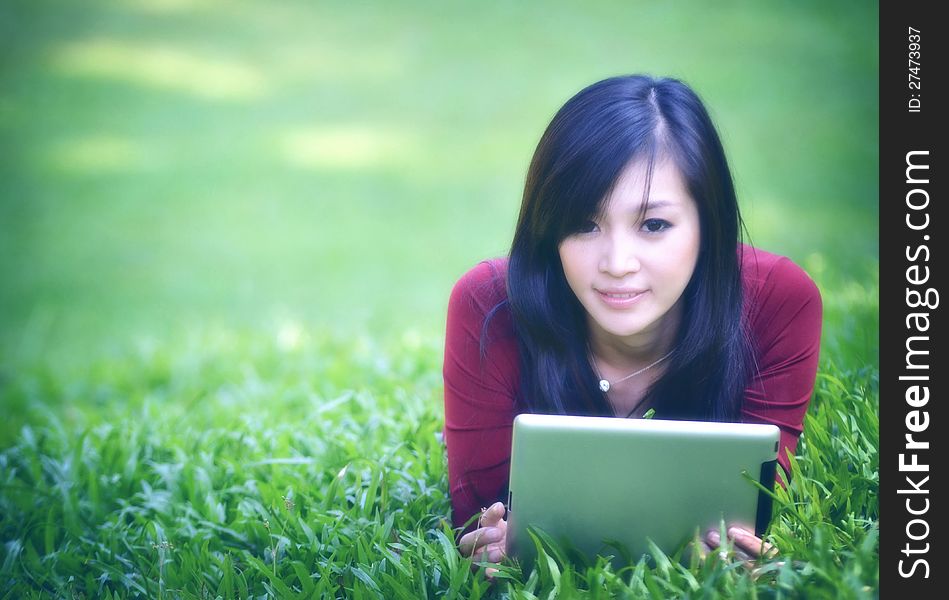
(227, 235)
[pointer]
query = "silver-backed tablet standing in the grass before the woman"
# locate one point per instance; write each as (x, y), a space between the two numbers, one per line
(591, 481)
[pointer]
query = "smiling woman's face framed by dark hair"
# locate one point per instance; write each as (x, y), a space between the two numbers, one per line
(629, 270)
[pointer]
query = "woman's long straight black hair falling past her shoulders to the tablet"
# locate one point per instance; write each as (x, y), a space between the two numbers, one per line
(591, 139)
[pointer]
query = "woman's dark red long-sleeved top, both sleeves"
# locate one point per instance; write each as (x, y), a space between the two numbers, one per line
(783, 311)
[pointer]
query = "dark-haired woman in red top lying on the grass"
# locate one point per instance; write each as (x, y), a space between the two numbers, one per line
(627, 288)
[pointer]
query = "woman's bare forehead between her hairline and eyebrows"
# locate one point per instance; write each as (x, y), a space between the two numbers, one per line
(667, 186)
